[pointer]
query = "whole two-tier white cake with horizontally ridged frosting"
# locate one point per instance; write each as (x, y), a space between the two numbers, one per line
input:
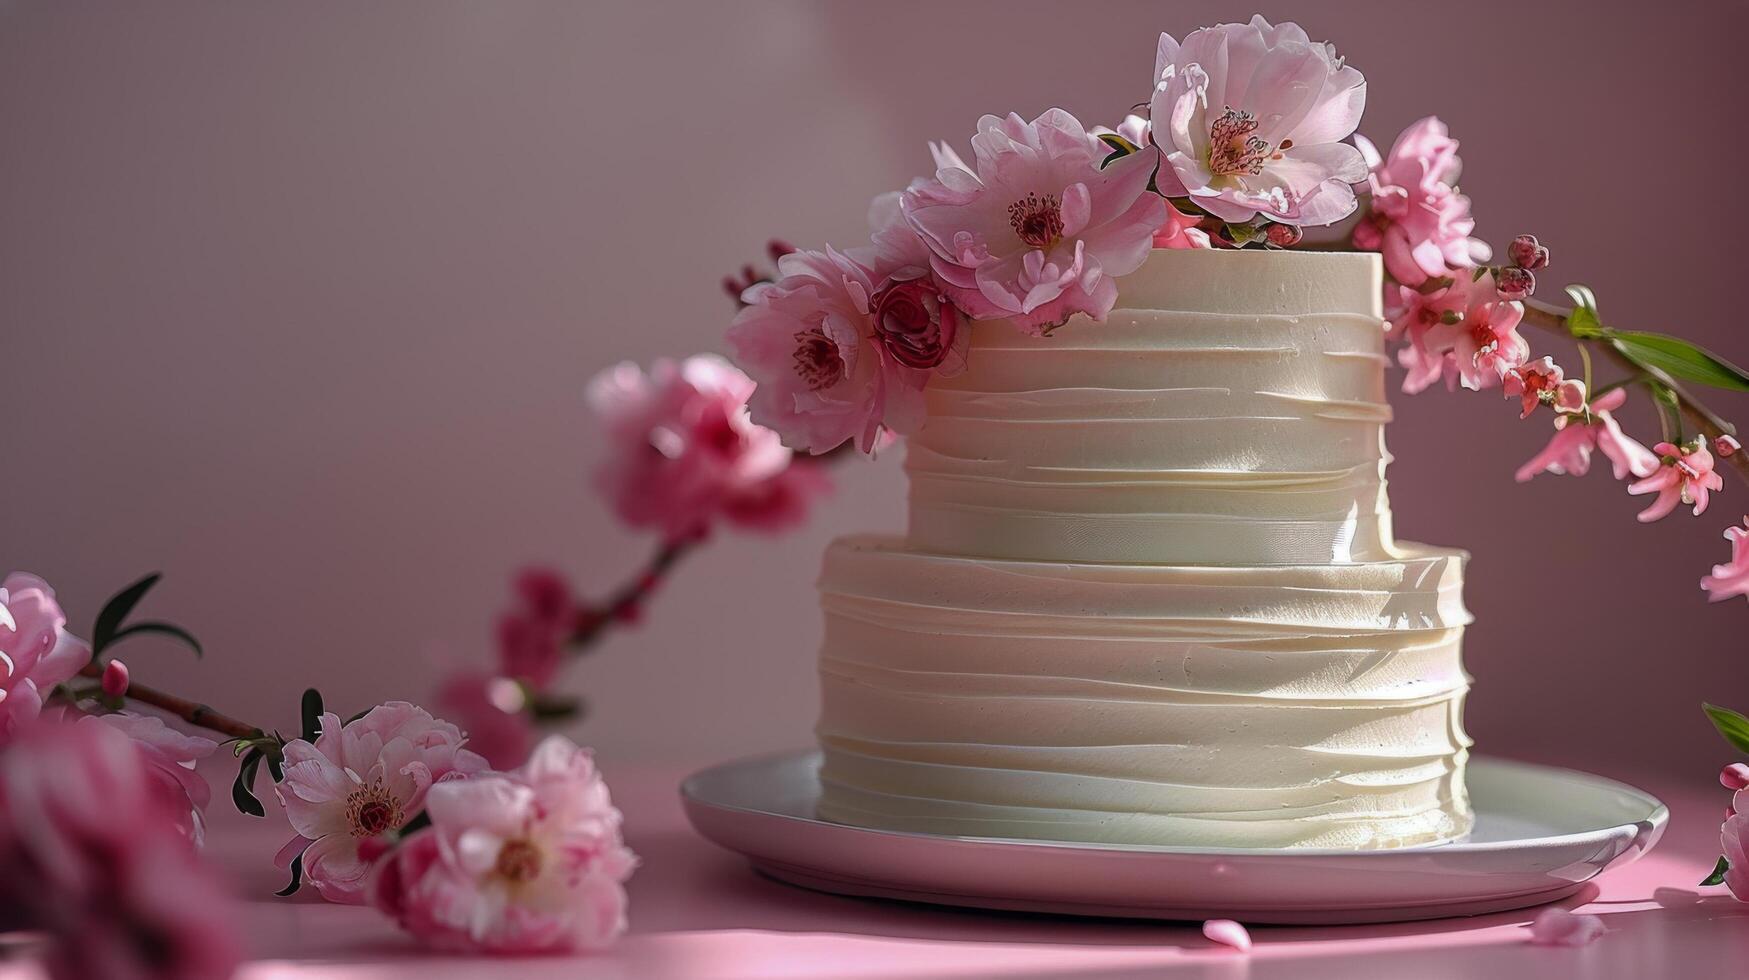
(1150, 591)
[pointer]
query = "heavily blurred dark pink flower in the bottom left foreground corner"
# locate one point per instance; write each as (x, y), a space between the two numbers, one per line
(92, 855)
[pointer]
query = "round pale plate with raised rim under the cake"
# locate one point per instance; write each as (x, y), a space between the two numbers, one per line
(1540, 836)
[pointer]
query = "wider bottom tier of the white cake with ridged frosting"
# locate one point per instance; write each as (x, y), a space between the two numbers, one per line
(1285, 706)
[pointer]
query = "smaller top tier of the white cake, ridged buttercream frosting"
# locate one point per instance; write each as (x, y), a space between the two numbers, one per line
(1230, 412)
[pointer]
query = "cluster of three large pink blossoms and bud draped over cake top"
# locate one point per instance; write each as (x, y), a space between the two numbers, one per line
(1246, 125)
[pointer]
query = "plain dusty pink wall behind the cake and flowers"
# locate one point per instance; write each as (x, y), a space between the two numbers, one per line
(298, 304)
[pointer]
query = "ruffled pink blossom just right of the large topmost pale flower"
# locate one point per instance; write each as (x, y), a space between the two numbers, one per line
(1419, 221)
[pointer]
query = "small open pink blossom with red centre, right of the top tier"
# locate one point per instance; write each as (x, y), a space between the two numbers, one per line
(1472, 337)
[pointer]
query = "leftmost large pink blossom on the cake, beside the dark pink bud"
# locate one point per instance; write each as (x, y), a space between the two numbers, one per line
(811, 344)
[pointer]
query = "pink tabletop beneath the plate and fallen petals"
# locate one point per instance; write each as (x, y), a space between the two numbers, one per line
(699, 911)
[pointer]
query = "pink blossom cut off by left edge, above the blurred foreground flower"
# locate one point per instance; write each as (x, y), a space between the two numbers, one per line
(36, 650)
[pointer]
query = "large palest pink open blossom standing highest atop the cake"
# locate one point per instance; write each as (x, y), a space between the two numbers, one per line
(1251, 118)
